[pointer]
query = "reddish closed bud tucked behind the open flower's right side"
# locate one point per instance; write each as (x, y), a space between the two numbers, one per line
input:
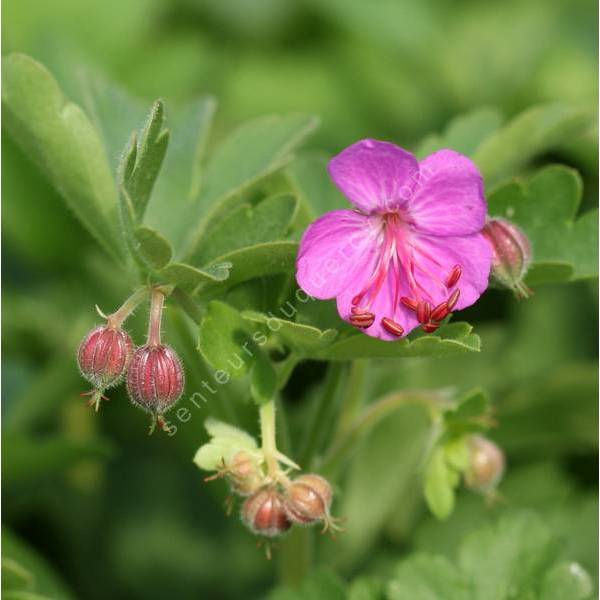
(511, 255)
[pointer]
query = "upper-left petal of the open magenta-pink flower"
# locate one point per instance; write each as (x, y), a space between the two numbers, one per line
(375, 176)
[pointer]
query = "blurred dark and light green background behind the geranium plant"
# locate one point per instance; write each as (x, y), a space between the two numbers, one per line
(96, 508)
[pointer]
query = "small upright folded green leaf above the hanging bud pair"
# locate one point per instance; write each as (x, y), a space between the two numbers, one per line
(143, 158)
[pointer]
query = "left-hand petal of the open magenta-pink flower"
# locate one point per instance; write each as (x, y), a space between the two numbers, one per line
(333, 250)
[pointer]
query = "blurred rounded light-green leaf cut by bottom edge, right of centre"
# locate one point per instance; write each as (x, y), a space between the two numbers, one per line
(423, 577)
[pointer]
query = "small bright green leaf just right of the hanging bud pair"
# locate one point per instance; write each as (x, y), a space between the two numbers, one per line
(226, 340)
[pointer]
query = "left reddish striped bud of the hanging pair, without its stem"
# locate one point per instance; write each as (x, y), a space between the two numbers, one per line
(104, 355)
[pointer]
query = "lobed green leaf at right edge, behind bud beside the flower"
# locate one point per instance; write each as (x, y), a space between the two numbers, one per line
(545, 207)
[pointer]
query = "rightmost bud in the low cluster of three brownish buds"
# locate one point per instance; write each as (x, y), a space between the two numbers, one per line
(308, 499)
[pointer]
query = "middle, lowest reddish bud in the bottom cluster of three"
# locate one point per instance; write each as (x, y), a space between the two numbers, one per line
(264, 513)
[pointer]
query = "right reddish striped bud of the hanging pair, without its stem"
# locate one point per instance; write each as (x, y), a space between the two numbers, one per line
(155, 378)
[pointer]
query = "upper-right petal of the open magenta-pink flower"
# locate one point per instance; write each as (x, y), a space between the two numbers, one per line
(448, 199)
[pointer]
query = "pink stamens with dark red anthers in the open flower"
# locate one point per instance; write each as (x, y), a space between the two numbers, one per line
(400, 259)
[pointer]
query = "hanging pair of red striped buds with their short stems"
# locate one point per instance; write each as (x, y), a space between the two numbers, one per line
(154, 375)
